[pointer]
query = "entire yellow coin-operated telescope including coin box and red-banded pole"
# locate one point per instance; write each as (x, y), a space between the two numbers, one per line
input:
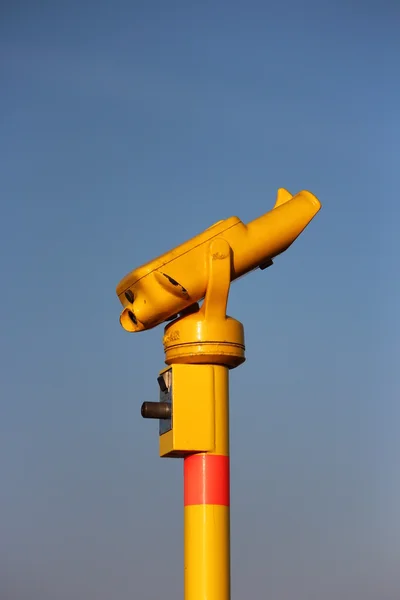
(201, 346)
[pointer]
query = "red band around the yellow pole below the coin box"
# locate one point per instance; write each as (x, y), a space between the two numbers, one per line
(206, 479)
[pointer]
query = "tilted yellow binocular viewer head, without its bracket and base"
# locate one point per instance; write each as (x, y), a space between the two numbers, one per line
(166, 286)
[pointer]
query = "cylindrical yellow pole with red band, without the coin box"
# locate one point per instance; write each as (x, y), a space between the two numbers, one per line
(206, 511)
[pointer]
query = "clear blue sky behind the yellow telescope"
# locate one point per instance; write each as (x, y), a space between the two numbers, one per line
(126, 128)
